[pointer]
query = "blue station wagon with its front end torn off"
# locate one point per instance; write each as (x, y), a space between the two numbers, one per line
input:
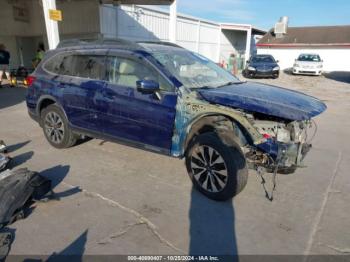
(164, 98)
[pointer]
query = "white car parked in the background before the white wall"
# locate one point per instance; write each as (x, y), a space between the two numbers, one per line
(308, 64)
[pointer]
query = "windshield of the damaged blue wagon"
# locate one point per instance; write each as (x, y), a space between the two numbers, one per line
(193, 70)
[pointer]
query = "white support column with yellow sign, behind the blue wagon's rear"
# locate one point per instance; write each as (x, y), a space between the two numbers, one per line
(51, 26)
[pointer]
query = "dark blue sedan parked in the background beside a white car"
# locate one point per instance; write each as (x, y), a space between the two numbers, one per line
(262, 66)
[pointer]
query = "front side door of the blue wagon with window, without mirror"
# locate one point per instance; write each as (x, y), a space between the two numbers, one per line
(147, 119)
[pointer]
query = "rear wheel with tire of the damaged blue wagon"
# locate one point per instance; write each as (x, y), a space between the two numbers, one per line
(56, 128)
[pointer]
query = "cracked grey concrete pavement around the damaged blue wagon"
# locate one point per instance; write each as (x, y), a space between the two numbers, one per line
(120, 200)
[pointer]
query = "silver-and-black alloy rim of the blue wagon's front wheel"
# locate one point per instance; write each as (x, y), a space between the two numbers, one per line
(209, 168)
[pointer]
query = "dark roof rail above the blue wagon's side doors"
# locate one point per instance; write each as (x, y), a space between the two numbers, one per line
(95, 41)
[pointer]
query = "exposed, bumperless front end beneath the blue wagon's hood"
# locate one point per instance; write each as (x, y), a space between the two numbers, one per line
(286, 145)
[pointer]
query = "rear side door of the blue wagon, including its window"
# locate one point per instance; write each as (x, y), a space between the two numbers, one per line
(81, 80)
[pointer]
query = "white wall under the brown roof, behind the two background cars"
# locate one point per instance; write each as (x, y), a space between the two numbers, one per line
(334, 59)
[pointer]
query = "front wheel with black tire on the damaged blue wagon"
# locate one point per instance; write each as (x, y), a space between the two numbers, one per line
(216, 186)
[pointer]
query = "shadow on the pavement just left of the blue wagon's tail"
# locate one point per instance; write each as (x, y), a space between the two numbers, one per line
(10, 96)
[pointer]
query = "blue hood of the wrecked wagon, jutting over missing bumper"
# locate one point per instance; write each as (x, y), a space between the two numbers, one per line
(265, 99)
